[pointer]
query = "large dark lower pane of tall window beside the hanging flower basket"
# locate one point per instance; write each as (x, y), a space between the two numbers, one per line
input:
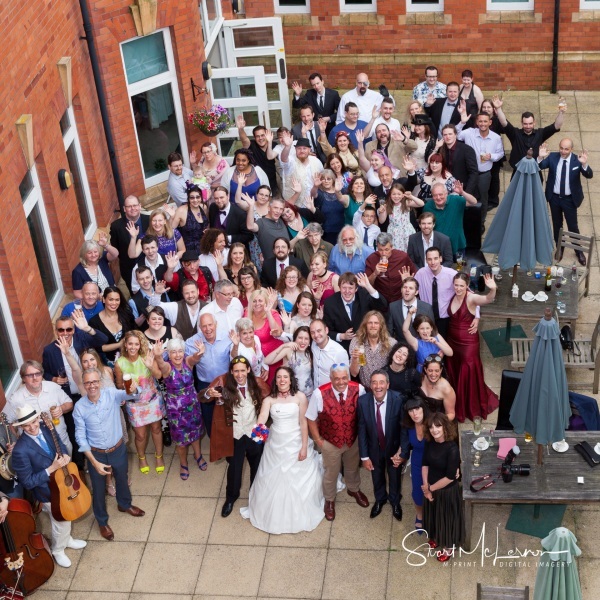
(156, 127)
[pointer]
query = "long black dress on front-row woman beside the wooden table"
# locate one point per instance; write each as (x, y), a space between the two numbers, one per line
(443, 518)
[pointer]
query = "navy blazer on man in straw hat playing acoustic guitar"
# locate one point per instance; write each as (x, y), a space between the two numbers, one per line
(30, 462)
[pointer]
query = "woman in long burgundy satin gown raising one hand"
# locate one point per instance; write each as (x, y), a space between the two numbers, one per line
(465, 371)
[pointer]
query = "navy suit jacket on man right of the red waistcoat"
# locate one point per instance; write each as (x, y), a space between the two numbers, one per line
(395, 435)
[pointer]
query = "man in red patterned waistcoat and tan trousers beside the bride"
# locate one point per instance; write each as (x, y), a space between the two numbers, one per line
(333, 424)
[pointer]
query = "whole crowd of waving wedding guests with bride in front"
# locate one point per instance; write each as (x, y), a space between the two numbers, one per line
(310, 286)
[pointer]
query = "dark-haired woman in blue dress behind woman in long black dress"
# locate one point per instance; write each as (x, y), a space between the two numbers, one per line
(415, 413)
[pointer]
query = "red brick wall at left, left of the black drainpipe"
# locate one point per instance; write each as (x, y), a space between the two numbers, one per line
(37, 35)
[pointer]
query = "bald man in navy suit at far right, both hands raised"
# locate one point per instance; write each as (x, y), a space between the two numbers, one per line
(563, 188)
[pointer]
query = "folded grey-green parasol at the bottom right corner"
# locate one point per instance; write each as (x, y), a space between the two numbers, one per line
(557, 577)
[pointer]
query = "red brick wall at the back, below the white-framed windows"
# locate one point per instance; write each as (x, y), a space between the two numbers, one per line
(463, 36)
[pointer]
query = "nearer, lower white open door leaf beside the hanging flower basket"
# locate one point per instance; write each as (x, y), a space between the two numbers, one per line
(242, 92)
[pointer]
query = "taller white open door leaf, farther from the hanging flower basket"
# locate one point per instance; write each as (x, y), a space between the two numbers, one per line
(259, 43)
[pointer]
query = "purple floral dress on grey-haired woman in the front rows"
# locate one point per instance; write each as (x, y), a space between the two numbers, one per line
(183, 409)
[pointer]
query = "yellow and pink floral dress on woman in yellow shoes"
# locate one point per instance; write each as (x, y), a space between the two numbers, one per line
(148, 407)
